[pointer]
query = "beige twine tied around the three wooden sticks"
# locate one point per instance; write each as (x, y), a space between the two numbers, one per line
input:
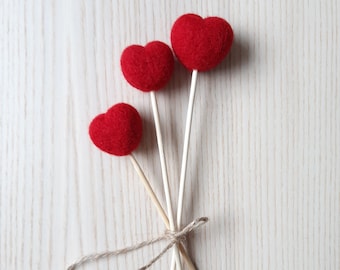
(172, 236)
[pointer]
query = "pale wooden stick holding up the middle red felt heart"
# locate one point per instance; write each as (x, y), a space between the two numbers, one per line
(164, 173)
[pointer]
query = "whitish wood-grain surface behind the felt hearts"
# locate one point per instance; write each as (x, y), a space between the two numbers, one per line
(265, 152)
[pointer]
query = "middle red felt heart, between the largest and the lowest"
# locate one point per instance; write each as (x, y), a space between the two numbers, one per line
(147, 68)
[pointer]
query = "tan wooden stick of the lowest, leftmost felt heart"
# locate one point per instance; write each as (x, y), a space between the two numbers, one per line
(159, 207)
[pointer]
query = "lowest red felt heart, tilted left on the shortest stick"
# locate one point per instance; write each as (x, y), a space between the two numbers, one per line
(118, 131)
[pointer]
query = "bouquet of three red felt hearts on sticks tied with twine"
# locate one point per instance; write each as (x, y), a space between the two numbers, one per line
(199, 44)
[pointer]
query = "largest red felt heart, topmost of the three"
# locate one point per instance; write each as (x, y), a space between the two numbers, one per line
(201, 43)
